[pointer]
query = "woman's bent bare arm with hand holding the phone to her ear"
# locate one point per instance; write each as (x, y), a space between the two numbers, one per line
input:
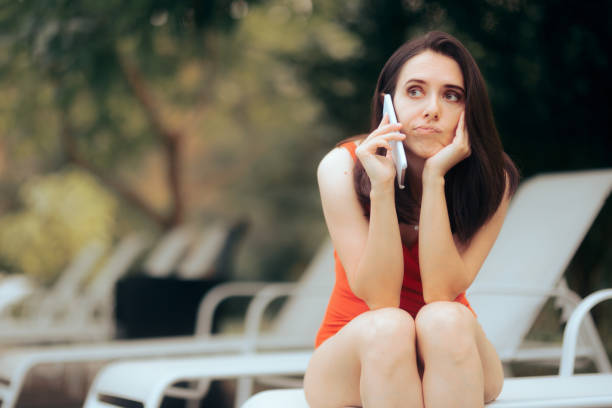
(371, 252)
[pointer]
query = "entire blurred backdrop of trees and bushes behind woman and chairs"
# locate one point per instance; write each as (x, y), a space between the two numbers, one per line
(119, 116)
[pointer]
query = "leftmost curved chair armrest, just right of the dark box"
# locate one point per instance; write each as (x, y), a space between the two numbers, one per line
(218, 294)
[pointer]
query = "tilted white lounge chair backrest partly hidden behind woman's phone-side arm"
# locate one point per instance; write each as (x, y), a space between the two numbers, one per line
(303, 313)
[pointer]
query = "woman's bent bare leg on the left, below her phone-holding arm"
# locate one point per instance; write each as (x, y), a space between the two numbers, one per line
(371, 362)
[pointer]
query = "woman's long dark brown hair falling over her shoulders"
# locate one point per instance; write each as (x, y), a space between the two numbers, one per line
(475, 186)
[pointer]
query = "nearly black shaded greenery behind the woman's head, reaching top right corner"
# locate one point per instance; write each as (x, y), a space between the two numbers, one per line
(546, 63)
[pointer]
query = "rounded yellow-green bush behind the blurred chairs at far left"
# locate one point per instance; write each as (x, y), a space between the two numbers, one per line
(61, 212)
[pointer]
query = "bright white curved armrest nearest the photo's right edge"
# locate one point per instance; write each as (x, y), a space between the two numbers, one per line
(570, 334)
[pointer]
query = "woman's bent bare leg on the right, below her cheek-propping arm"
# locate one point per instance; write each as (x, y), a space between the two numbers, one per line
(462, 368)
